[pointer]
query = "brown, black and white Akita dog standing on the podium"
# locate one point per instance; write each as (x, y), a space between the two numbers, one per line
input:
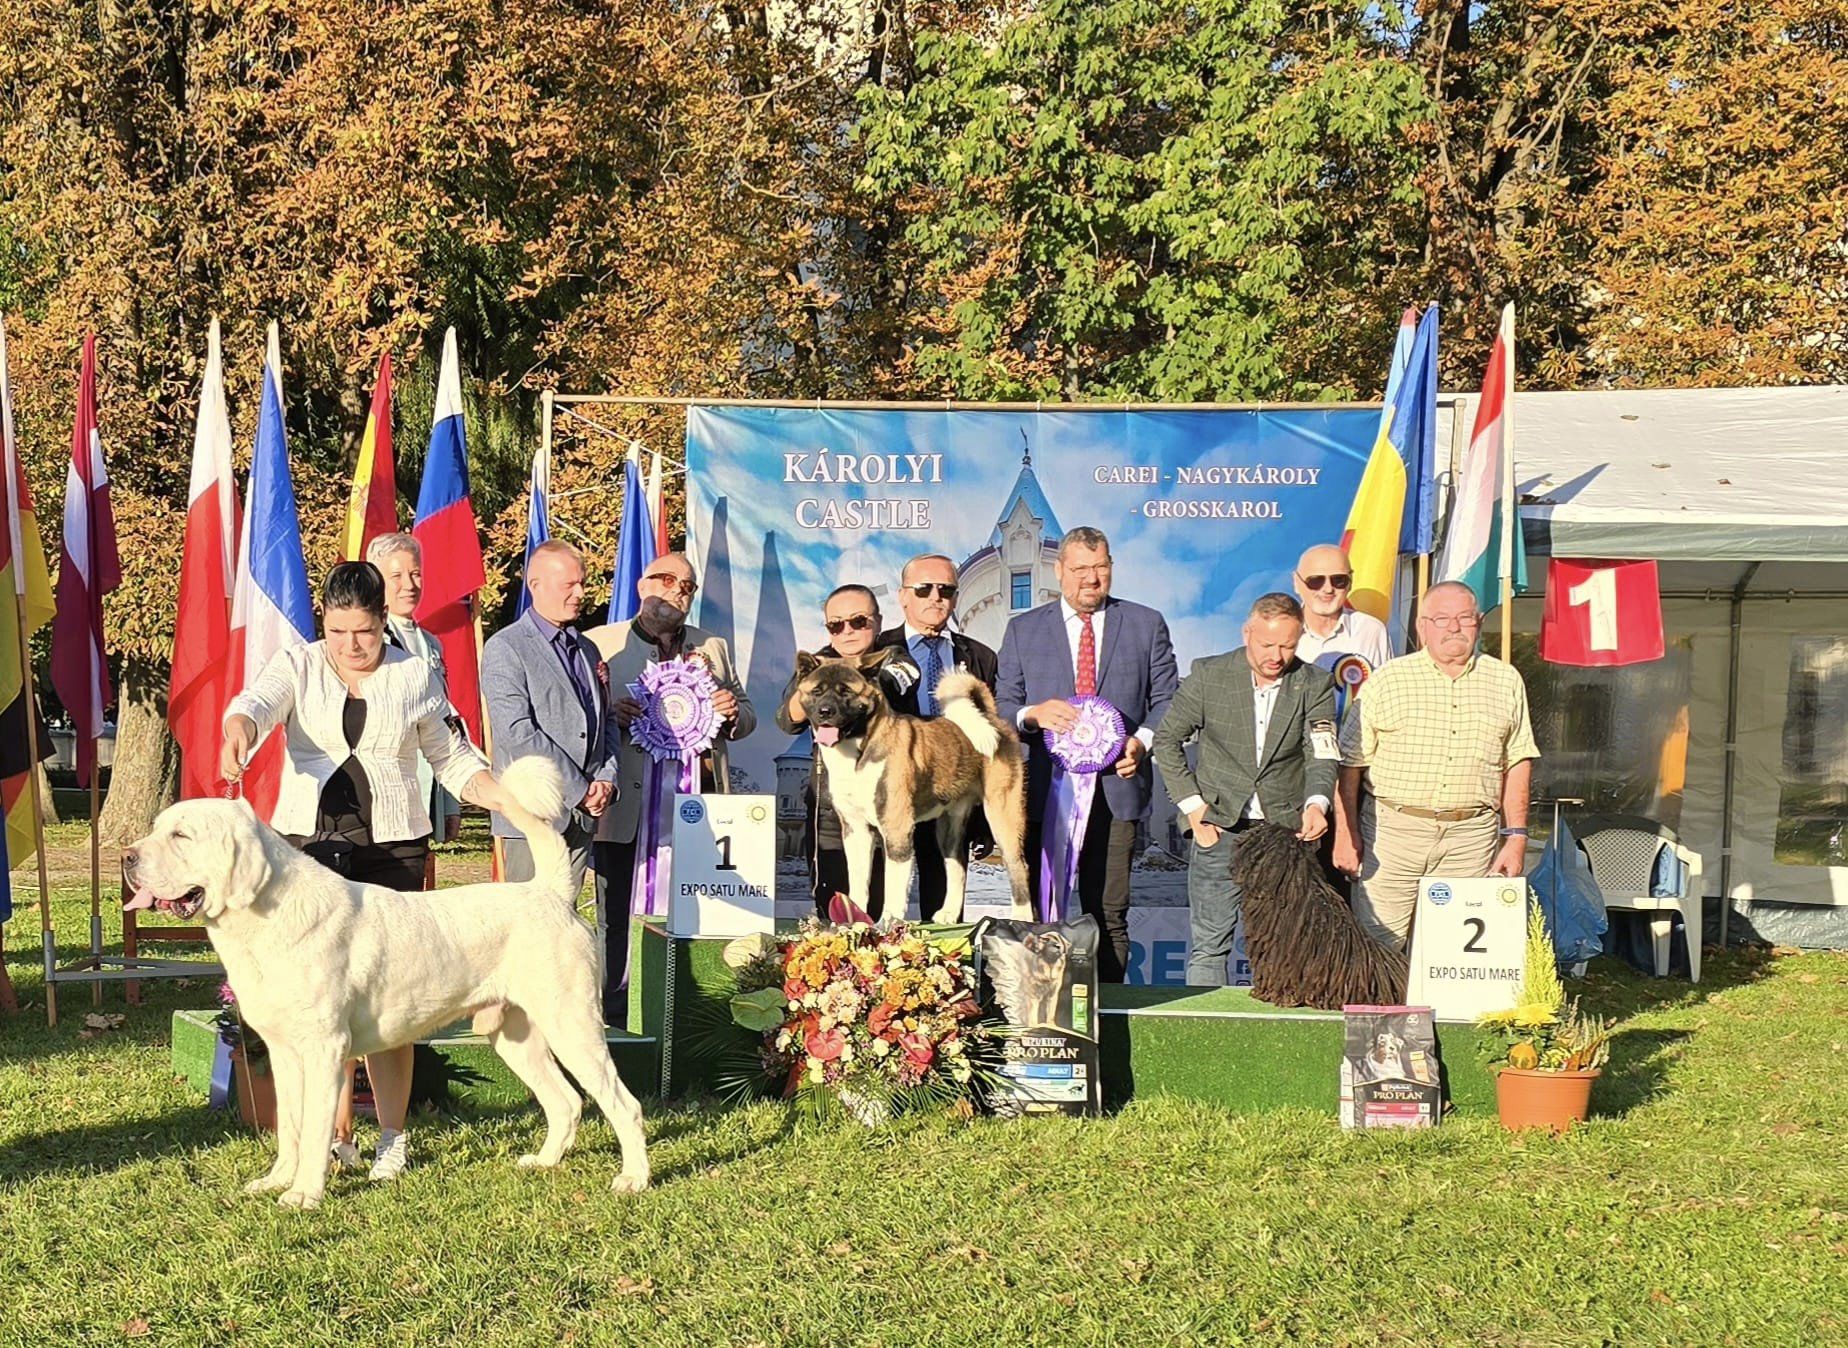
(892, 772)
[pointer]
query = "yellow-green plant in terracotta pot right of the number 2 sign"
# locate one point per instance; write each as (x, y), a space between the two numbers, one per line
(1546, 1053)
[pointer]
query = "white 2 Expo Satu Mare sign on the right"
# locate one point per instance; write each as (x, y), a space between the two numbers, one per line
(1468, 946)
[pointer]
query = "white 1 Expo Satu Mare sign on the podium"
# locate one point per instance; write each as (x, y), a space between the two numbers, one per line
(725, 866)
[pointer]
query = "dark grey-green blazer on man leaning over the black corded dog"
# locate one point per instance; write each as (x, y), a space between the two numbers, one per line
(1215, 704)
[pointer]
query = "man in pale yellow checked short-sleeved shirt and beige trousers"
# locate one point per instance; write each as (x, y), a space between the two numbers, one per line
(1448, 752)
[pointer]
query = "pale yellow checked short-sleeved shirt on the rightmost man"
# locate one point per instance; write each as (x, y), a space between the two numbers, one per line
(1437, 742)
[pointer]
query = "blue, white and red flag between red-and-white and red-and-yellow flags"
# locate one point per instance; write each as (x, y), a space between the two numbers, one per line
(271, 606)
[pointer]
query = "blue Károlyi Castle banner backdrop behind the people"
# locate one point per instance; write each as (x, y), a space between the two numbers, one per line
(1204, 509)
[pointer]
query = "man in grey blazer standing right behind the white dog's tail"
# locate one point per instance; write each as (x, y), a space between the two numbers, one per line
(548, 698)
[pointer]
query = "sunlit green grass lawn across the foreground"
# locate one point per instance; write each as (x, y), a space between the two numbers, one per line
(1707, 1205)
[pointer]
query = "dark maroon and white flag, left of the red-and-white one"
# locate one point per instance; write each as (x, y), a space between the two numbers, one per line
(88, 570)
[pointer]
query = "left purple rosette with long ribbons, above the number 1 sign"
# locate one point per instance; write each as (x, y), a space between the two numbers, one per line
(677, 724)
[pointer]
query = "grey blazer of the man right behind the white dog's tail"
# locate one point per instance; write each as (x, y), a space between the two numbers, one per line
(533, 709)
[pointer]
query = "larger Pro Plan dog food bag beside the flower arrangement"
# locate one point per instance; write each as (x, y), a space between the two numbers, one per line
(1043, 981)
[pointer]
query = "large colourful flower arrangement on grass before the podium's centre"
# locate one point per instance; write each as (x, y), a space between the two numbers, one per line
(877, 1020)
